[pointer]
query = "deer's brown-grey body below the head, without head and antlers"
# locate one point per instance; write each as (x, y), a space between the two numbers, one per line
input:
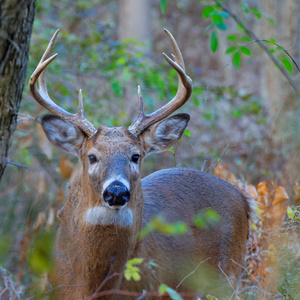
(87, 254)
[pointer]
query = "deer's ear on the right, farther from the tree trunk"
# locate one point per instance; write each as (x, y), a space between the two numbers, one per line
(163, 135)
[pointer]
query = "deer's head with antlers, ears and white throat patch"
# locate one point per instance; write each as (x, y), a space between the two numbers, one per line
(111, 157)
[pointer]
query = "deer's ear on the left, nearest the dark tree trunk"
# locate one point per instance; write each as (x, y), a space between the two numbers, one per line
(62, 133)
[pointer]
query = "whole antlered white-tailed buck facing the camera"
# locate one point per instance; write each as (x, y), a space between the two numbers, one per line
(109, 203)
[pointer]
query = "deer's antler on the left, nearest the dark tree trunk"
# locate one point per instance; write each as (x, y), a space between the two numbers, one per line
(42, 97)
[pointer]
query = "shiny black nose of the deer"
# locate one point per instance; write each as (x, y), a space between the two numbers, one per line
(116, 194)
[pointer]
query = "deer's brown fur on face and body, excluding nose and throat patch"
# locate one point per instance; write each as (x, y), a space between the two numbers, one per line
(87, 254)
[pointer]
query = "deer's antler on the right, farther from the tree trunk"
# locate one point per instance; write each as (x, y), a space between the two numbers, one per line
(183, 93)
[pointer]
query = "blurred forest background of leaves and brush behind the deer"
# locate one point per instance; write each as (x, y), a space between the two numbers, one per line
(244, 118)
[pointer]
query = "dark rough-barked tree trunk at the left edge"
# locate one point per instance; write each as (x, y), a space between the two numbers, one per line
(16, 20)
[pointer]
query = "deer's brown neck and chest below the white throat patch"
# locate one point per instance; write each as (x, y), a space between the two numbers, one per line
(94, 251)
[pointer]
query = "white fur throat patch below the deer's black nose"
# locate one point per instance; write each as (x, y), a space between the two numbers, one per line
(101, 215)
